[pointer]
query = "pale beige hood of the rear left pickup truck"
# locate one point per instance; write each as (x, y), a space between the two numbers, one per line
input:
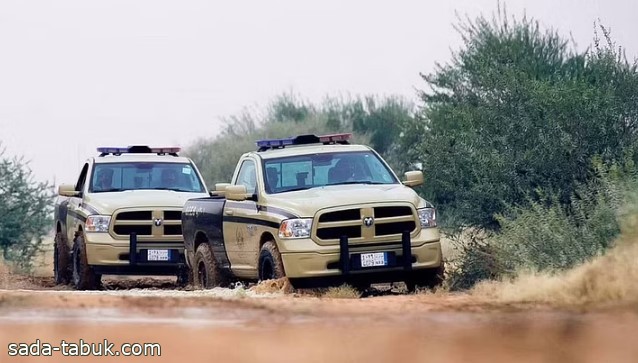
(107, 203)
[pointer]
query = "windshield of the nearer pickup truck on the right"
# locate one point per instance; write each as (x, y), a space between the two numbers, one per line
(318, 170)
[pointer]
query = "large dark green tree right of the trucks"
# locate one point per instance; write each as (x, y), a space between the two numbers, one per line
(517, 110)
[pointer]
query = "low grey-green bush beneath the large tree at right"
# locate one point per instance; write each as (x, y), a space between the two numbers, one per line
(547, 235)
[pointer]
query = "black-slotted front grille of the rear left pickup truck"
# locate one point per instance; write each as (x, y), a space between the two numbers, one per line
(148, 224)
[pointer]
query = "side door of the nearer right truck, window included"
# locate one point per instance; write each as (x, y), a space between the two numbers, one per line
(240, 232)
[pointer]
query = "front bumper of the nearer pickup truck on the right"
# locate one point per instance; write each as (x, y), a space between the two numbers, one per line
(424, 249)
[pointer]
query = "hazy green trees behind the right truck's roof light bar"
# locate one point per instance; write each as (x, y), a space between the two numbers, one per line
(374, 121)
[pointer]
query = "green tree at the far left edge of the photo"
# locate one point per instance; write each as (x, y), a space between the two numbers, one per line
(26, 208)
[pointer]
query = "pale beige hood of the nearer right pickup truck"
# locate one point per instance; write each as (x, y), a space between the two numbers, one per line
(306, 203)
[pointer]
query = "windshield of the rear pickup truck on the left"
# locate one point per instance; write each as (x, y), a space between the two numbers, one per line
(114, 177)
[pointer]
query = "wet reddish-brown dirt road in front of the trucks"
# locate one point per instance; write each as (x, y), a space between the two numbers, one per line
(224, 325)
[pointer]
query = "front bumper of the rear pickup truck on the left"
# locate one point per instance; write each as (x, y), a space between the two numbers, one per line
(129, 257)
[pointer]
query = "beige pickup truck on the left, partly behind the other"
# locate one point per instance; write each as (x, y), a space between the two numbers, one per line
(124, 216)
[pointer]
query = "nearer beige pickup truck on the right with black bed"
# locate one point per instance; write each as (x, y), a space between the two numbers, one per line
(317, 210)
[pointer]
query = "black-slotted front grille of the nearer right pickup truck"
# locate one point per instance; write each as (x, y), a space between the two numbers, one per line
(388, 222)
